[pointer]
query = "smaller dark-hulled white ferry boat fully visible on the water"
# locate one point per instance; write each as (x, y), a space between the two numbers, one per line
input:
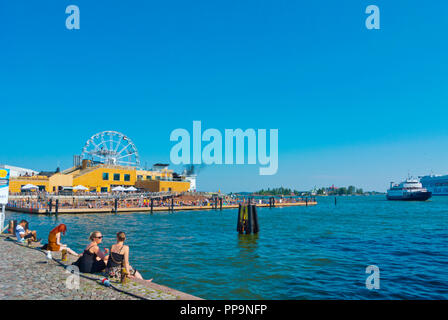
(409, 190)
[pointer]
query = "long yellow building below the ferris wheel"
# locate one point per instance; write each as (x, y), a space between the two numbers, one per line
(102, 178)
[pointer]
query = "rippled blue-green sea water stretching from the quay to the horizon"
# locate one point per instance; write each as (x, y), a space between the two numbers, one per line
(316, 252)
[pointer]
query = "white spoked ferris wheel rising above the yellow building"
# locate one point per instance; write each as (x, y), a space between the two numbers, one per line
(111, 147)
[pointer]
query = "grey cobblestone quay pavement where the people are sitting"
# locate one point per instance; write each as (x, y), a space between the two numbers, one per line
(27, 274)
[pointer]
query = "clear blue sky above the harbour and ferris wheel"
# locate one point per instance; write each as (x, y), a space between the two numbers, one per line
(352, 106)
